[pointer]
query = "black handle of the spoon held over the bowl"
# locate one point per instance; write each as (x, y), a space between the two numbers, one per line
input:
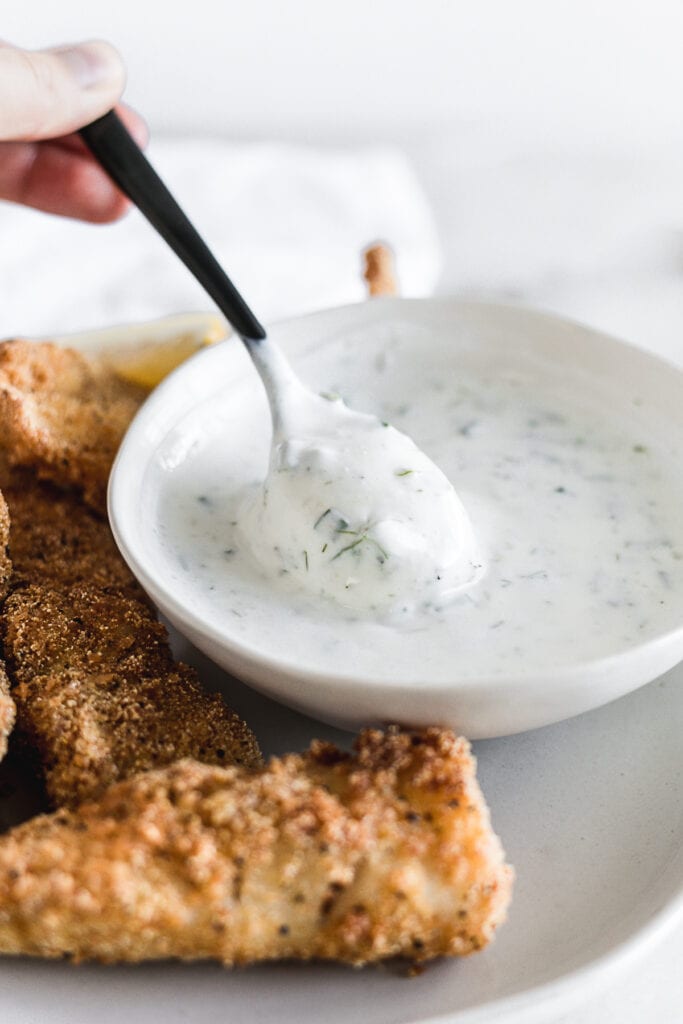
(110, 142)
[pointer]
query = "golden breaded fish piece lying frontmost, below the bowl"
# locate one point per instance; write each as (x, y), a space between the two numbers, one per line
(389, 852)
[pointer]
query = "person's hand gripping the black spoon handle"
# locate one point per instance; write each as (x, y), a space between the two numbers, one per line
(46, 97)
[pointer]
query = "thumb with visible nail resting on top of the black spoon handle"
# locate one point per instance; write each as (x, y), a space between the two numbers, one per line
(48, 94)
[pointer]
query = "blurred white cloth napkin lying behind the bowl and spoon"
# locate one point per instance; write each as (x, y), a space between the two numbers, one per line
(287, 223)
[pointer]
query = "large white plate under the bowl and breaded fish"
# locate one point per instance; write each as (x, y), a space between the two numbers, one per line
(590, 815)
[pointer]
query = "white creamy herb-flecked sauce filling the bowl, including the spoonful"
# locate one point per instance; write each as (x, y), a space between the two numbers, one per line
(579, 531)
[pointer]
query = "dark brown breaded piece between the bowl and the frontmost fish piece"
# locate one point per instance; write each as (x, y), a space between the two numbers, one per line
(100, 697)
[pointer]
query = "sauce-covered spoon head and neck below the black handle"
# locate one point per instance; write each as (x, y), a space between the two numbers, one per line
(352, 510)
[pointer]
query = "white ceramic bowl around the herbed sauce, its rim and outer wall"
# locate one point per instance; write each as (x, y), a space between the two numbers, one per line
(382, 672)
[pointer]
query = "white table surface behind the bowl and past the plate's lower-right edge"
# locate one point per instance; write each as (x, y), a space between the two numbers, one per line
(596, 235)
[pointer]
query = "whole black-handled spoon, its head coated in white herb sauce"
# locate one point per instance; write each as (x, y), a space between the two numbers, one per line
(352, 509)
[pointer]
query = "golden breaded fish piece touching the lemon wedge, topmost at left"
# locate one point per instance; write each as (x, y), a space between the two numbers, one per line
(64, 415)
